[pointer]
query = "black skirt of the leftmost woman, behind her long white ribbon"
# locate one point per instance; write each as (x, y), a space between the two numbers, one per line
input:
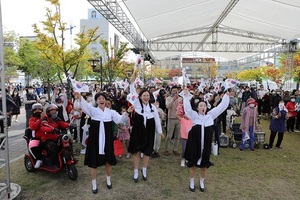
(92, 157)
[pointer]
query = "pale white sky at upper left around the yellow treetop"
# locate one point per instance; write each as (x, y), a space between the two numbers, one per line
(19, 15)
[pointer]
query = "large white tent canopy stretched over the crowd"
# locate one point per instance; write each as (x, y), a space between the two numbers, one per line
(261, 21)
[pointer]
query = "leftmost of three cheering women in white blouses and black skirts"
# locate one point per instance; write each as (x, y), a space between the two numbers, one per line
(100, 150)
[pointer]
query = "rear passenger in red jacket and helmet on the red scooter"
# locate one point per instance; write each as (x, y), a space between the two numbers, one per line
(35, 126)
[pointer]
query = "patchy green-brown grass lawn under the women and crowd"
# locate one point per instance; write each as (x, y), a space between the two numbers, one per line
(262, 174)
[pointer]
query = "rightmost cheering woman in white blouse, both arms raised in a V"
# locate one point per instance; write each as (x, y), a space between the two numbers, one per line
(198, 148)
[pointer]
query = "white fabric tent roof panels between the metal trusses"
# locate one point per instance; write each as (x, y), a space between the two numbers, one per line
(278, 18)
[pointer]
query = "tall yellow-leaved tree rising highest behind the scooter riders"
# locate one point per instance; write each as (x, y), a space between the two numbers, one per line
(50, 43)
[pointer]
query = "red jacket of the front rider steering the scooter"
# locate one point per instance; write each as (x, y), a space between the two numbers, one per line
(48, 125)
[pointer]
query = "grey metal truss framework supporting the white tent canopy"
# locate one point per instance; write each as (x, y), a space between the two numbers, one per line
(114, 13)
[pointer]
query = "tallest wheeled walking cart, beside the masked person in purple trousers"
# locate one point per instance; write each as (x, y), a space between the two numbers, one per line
(236, 133)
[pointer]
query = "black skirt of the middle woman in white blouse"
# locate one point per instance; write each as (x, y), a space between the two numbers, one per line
(142, 138)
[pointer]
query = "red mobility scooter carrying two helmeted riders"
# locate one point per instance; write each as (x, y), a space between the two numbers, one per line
(66, 159)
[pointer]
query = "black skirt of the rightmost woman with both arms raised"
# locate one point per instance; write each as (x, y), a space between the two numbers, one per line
(193, 147)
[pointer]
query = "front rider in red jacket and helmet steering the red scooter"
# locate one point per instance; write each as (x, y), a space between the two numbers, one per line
(51, 126)
